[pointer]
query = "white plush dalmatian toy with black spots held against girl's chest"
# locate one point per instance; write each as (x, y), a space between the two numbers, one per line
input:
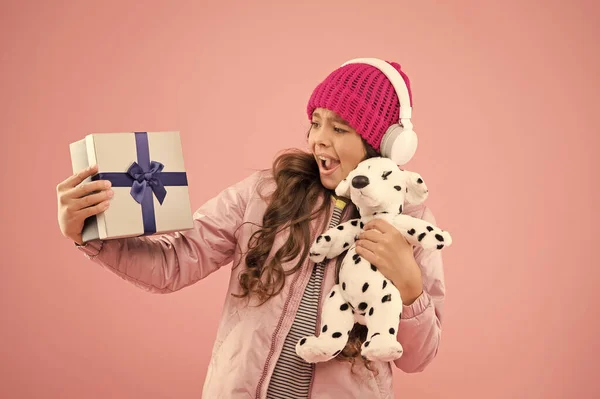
(378, 188)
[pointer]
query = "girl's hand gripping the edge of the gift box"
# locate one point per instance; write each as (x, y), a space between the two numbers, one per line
(75, 205)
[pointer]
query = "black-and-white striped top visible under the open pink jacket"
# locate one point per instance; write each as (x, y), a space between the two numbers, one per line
(292, 375)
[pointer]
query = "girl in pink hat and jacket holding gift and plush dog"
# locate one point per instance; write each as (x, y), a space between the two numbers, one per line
(265, 224)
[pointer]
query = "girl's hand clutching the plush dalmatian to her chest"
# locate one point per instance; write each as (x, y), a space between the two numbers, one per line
(387, 249)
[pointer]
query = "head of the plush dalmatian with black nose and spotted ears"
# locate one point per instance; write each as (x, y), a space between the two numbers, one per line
(378, 184)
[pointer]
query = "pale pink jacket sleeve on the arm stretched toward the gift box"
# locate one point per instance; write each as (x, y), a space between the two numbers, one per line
(168, 262)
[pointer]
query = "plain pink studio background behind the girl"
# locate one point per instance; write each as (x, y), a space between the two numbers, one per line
(505, 96)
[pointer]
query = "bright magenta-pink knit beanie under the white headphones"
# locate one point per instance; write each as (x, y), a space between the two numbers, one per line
(363, 96)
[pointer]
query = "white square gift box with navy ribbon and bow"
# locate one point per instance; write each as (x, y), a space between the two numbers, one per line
(148, 178)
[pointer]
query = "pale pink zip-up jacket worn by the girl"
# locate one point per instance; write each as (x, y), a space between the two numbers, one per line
(241, 364)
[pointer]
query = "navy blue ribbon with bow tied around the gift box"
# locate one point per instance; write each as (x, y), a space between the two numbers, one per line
(145, 177)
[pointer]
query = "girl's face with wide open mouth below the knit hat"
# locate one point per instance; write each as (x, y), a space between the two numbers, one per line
(334, 139)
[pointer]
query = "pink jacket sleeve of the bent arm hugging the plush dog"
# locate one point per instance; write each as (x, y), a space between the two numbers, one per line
(420, 327)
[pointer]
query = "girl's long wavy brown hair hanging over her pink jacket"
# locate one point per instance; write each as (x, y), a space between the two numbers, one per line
(291, 206)
